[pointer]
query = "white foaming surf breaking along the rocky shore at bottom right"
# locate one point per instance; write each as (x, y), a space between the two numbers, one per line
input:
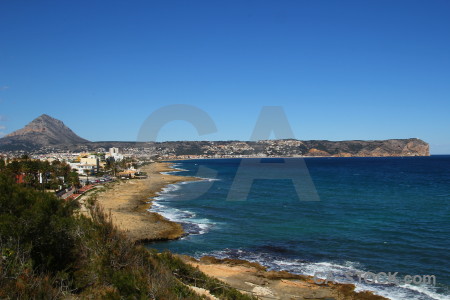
(298, 266)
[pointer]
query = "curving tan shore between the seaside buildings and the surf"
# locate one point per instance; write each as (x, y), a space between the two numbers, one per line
(128, 202)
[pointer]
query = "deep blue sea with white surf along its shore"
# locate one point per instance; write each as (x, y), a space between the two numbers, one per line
(374, 214)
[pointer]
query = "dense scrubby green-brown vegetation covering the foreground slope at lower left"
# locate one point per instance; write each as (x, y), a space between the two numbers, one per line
(49, 252)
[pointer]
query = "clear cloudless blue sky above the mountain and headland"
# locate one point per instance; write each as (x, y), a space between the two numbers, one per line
(340, 70)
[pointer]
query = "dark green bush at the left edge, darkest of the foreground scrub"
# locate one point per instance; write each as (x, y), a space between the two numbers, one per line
(40, 223)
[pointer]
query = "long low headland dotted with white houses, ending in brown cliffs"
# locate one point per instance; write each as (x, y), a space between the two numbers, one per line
(269, 148)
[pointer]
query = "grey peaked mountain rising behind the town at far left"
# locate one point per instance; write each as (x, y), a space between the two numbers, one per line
(41, 132)
